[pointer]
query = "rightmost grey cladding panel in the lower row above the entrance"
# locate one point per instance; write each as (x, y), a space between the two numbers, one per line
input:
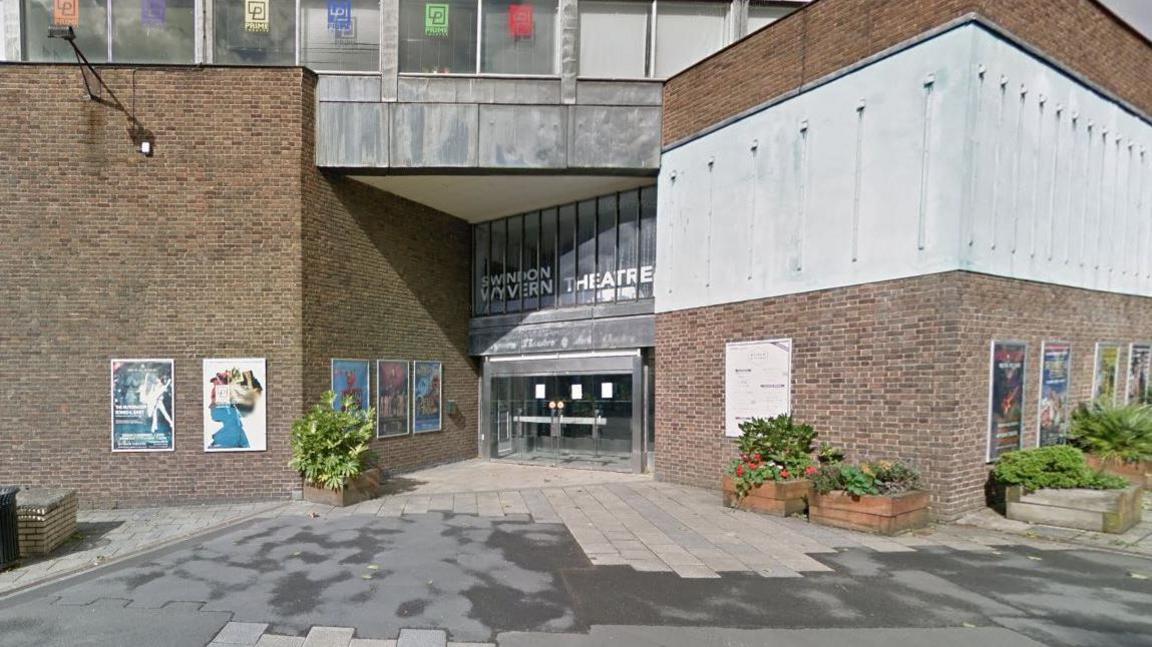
(615, 138)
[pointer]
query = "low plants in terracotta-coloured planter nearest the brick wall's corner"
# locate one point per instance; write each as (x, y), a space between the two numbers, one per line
(883, 498)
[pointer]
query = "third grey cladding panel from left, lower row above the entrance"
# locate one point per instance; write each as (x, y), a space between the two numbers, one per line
(524, 138)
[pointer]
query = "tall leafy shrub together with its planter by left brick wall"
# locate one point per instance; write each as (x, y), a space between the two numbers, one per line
(330, 448)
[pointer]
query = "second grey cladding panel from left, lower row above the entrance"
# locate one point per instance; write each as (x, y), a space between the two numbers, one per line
(442, 135)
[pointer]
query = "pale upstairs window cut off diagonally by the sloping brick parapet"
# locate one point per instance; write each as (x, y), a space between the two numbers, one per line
(687, 33)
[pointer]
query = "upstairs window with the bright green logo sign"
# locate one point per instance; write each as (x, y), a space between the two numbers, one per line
(438, 37)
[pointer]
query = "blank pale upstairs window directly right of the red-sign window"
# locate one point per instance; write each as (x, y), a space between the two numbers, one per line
(615, 40)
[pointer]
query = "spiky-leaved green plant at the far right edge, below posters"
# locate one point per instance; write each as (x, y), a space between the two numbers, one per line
(1115, 433)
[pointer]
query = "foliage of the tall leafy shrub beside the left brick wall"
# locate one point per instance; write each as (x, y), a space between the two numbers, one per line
(331, 448)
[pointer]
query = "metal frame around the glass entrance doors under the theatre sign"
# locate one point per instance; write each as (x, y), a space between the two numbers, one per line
(631, 362)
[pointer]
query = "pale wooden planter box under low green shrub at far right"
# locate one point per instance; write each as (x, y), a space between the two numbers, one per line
(1101, 511)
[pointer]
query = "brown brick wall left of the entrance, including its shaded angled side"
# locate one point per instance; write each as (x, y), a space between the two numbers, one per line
(200, 252)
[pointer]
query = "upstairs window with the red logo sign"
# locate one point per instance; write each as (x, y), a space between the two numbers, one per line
(520, 37)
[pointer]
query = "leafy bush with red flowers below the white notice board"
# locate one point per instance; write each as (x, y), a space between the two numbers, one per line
(771, 450)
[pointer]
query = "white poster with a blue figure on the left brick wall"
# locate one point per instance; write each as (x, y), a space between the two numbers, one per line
(236, 413)
